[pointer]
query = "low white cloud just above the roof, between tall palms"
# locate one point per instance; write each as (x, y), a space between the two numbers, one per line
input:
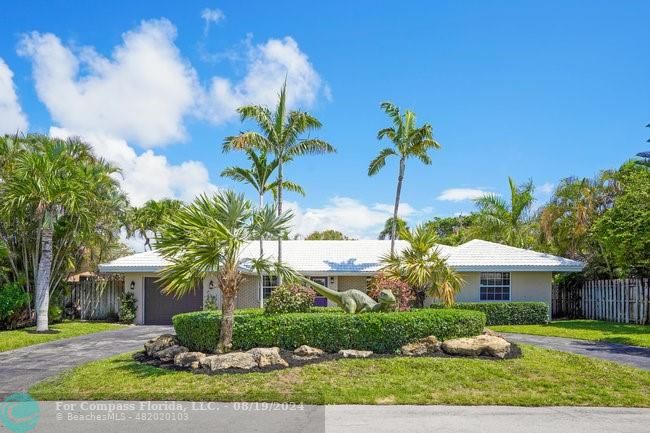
(347, 215)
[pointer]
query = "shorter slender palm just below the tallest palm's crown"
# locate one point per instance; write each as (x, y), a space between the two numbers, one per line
(259, 177)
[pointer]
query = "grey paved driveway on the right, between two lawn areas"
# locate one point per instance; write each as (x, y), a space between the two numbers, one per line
(632, 355)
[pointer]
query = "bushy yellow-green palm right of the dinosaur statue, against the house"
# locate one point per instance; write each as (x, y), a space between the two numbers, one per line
(422, 267)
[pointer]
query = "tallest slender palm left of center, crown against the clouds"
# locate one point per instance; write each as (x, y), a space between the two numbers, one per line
(281, 132)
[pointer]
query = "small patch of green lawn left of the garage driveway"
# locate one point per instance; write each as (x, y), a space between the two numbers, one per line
(28, 336)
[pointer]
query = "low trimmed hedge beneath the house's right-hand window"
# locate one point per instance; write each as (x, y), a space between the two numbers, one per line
(508, 313)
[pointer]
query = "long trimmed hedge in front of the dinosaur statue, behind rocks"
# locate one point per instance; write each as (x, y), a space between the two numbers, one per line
(330, 331)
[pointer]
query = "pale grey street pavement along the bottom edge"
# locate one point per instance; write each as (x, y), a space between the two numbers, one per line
(161, 417)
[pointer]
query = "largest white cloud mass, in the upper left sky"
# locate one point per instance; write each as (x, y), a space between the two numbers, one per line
(142, 94)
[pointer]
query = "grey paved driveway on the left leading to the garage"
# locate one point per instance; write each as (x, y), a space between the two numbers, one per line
(21, 368)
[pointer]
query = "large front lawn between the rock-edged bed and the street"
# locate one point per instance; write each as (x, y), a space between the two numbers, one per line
(541, 377)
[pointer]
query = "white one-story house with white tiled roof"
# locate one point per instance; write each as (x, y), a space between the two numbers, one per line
(492, 272)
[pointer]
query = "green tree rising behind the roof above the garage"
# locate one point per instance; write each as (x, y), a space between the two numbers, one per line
(145, 221)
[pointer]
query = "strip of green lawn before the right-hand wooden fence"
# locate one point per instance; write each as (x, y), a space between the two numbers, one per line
(596, 330)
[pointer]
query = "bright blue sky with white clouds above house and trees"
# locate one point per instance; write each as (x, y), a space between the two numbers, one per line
(533, 90)
